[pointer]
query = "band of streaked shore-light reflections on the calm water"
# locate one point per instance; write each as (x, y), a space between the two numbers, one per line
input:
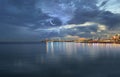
(90, 50)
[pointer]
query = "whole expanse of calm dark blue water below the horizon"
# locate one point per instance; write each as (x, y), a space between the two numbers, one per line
(59, 59)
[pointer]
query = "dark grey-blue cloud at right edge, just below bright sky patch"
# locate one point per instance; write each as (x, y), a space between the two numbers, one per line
(109, 19)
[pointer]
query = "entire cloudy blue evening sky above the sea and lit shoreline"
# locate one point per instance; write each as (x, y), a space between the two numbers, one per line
(40, 19)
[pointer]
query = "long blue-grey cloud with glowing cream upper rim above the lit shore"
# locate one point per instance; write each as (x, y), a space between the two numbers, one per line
(85, 29)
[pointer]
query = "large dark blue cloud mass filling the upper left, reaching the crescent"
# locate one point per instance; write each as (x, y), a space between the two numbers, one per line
(24, 13)
